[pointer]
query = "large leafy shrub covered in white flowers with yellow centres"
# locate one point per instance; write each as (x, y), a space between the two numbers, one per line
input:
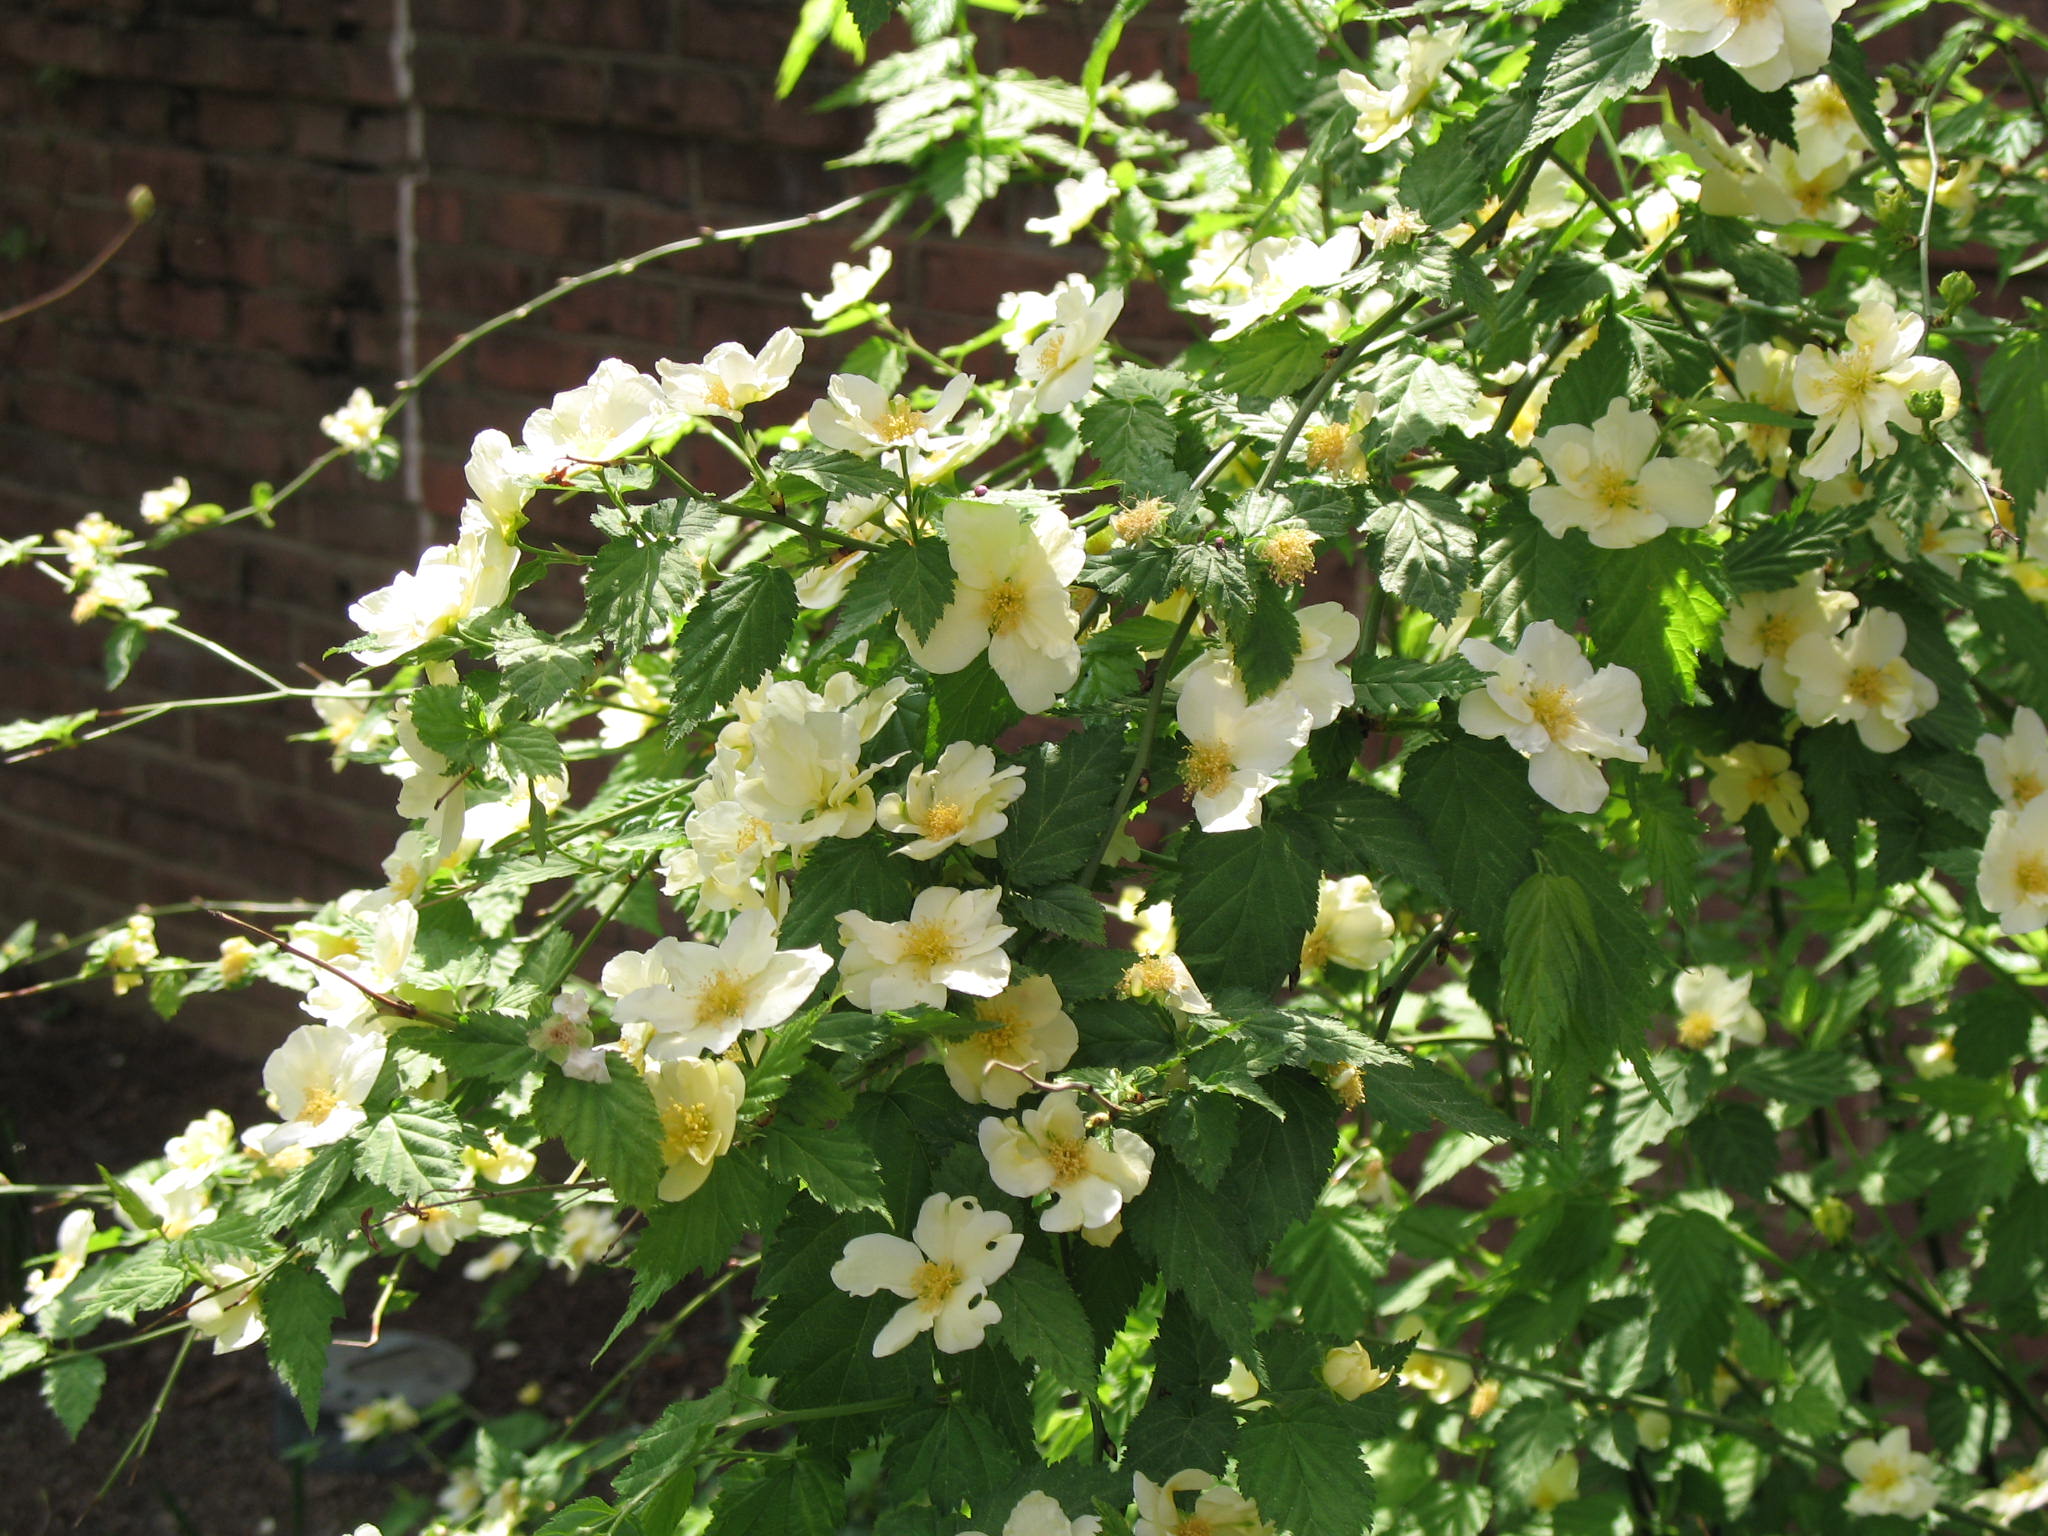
(1541, 699)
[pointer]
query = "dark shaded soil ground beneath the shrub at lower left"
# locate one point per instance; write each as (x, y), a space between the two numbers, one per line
(83, 1086)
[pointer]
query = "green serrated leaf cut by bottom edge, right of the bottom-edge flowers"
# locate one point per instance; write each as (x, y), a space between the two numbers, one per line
(1306, 1467)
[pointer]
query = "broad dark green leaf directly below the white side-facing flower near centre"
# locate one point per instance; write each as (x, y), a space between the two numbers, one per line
(1244, 902)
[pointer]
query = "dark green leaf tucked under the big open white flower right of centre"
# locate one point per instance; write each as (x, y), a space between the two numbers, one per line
(1482, 818)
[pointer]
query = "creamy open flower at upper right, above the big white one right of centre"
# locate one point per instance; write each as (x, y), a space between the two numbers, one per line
(1611, 482)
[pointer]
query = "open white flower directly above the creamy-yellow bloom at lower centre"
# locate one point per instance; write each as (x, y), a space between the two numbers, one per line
(951, 939)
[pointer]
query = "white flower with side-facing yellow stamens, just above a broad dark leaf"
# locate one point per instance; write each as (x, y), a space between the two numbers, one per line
(1236, 751)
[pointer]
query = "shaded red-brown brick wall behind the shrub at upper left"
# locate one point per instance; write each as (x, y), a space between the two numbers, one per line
(558, 136)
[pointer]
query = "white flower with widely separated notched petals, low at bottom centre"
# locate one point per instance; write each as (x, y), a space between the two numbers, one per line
(945, 1273)
